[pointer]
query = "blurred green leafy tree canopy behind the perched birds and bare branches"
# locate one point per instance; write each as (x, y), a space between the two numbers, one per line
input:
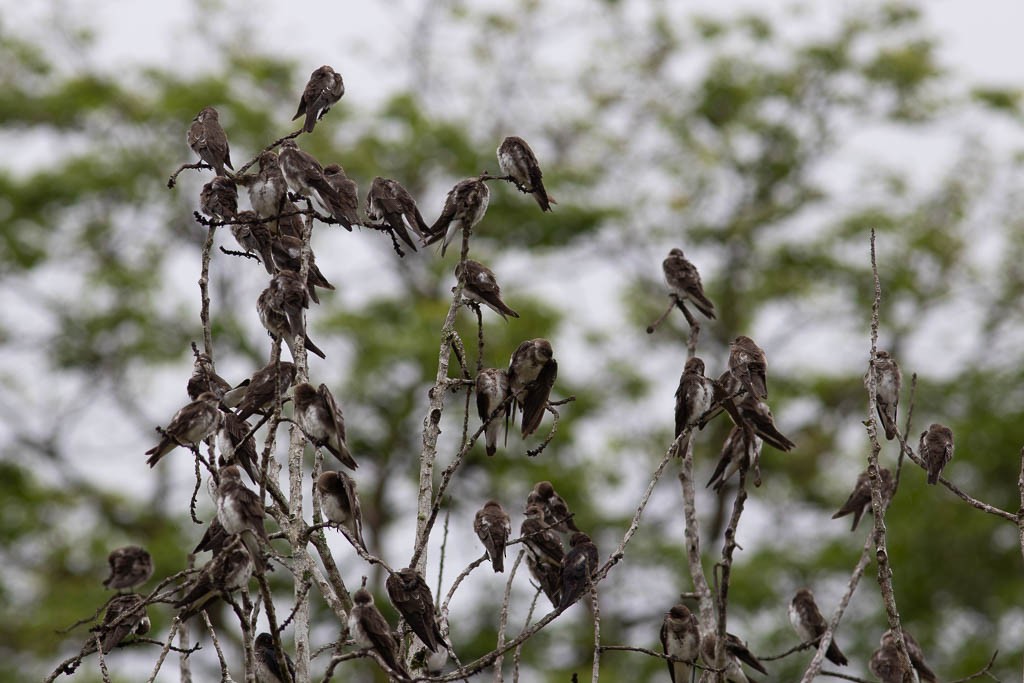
(760, 144)
